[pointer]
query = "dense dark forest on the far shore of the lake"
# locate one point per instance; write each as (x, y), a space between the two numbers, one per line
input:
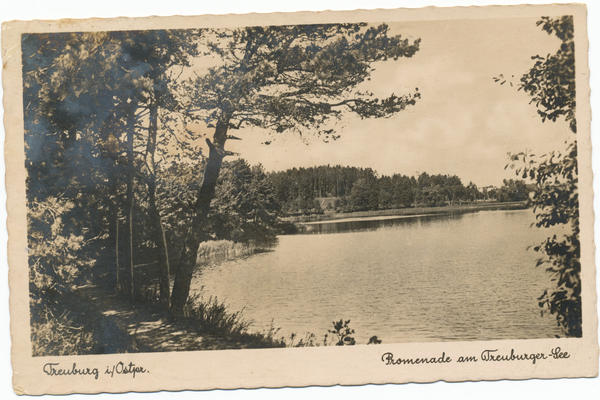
(348, 189)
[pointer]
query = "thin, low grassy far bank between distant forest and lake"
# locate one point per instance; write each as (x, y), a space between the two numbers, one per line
(409, 211)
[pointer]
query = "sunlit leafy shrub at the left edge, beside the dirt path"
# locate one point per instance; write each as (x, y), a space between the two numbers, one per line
(56, 261)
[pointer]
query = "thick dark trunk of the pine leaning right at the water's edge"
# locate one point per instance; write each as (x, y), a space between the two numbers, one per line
(196, 233)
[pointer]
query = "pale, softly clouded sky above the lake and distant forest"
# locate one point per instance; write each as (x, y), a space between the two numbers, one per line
(464, 124)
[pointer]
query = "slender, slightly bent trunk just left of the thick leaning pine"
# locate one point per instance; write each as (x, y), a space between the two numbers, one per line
(158, 234)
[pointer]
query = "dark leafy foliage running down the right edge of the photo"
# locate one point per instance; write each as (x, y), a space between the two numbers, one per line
(551, 83)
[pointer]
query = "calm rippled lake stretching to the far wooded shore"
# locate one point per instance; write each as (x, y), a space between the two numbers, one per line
(456, 276)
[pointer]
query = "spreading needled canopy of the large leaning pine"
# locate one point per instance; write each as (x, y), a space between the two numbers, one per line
(295, 77)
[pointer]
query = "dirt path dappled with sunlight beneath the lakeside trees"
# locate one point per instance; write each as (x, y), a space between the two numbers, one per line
(121, 326)
